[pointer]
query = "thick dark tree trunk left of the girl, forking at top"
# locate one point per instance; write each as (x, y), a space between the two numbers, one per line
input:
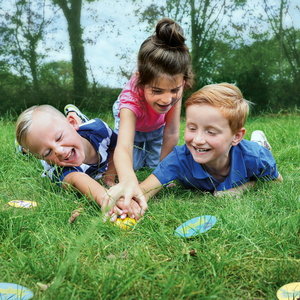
(72, 12)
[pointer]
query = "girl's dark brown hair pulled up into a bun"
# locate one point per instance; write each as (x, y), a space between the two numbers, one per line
(164, 53)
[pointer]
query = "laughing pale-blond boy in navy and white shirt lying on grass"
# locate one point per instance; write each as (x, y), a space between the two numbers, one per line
(82, 152)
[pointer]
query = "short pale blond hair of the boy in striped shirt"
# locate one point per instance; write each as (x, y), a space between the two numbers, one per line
(24, 121)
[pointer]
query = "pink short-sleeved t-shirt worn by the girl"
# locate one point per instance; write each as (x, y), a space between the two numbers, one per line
(133, 98)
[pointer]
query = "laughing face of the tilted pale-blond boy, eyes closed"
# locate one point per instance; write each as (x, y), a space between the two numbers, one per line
(54, 139)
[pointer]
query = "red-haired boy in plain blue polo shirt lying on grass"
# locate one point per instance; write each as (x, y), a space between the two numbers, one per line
(215, 157)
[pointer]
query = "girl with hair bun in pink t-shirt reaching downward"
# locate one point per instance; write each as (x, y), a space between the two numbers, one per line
(147, 112)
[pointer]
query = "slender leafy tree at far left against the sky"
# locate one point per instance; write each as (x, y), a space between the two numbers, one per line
(22, 30)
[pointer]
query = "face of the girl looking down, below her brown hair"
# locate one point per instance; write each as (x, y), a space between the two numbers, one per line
(162, 94)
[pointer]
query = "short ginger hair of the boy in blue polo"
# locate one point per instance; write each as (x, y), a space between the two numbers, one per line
(227, 98)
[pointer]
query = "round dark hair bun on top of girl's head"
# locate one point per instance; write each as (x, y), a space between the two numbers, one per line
(169, 33)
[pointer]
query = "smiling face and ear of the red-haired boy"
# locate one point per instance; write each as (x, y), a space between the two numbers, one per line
(209, 137)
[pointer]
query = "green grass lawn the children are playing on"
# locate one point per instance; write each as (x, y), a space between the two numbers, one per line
(252, 251)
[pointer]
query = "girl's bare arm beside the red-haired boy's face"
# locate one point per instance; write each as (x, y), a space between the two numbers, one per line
(171, 131)
